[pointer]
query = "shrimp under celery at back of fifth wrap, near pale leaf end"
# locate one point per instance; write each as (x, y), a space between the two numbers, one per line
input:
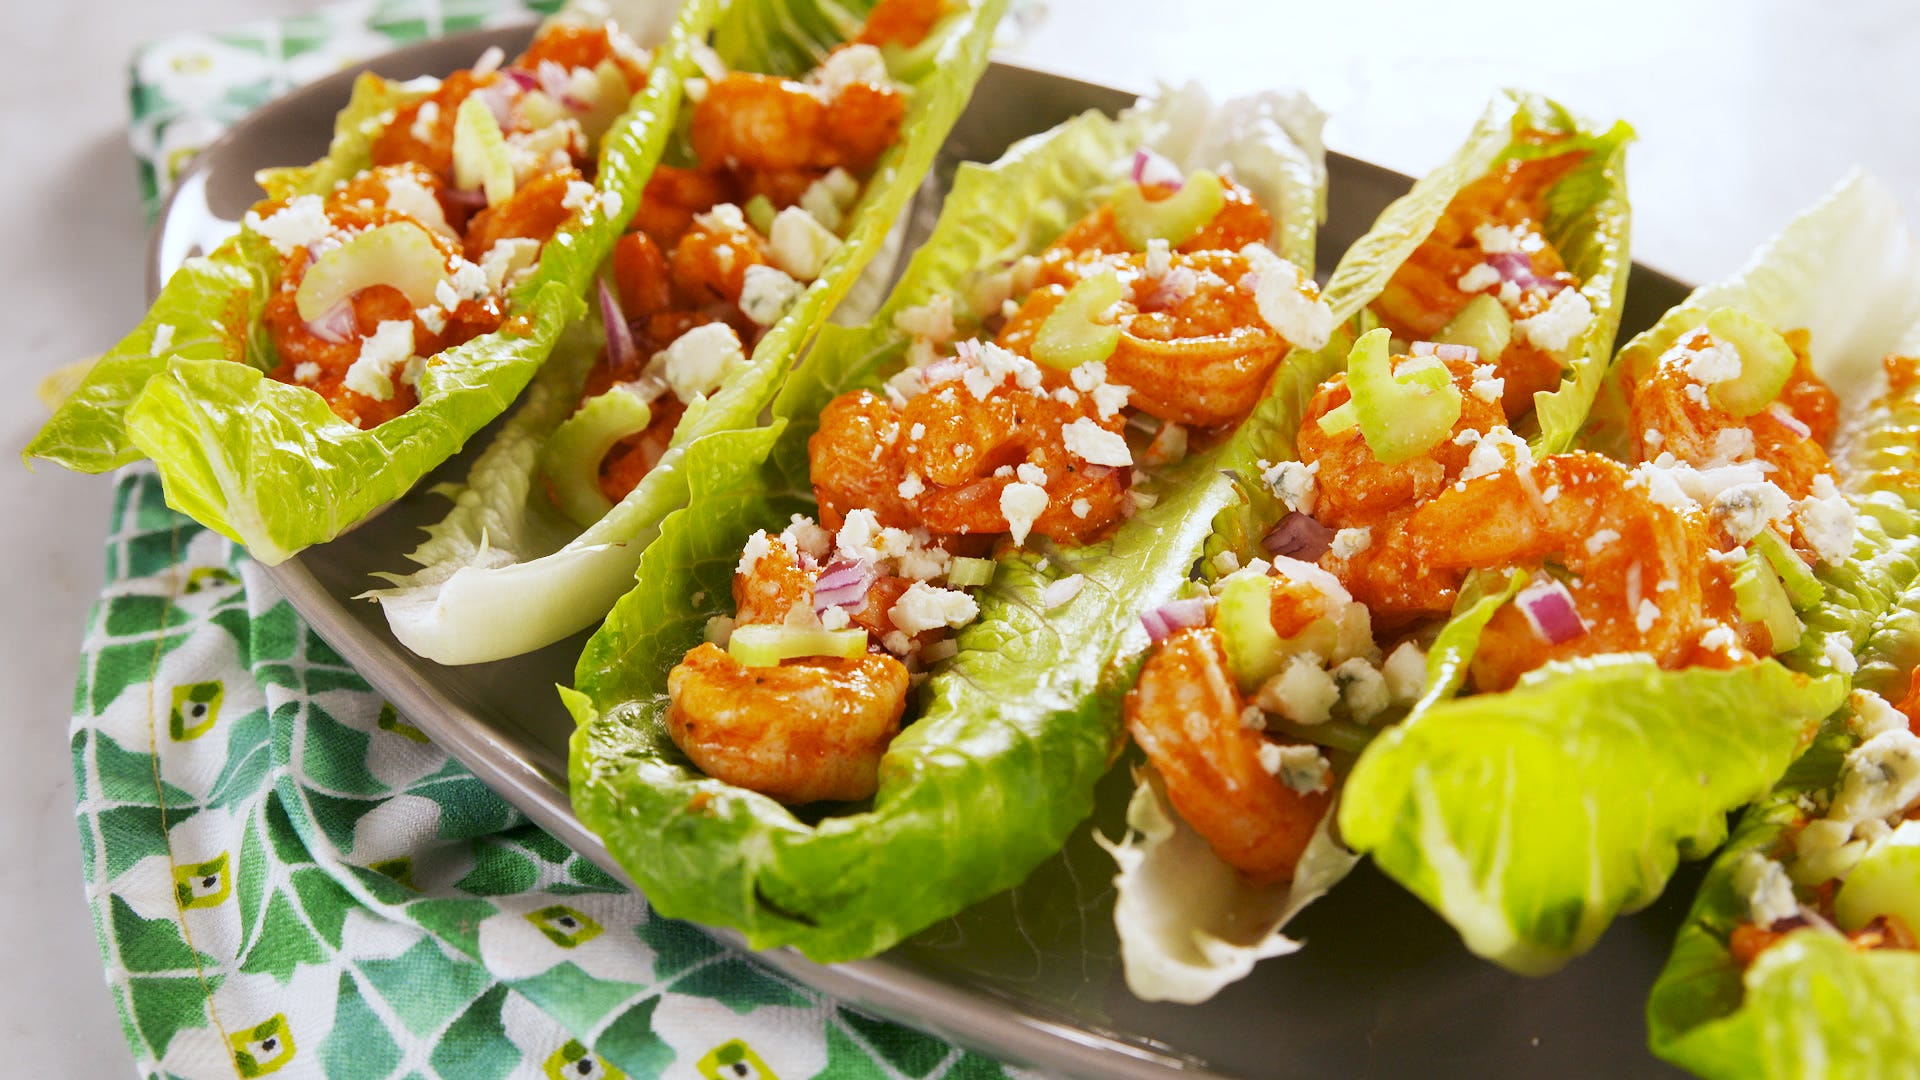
(1673, 414)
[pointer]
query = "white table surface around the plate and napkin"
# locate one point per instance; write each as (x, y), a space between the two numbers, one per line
(1746, 112)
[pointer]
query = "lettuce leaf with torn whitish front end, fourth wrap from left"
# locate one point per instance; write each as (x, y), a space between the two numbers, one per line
(1186, 941)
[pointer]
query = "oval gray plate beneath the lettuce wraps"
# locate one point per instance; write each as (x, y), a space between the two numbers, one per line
(1032, 975)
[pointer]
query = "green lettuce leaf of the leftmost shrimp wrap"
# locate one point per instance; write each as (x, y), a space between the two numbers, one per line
(270, 464)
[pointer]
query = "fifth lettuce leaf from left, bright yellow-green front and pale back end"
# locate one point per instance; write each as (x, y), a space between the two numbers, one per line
(1531, 822)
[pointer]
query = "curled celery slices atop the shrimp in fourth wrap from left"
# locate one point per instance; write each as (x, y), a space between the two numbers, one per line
(1401, 412)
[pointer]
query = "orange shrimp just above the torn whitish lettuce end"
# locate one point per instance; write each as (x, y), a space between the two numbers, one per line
(1186, 714)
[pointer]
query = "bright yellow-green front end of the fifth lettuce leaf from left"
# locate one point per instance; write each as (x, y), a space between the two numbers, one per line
(1529, 820)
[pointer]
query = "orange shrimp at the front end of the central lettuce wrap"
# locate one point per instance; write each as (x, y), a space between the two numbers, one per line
(800, 733)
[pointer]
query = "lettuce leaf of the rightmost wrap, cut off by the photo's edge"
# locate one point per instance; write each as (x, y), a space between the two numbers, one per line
(1812, 1004)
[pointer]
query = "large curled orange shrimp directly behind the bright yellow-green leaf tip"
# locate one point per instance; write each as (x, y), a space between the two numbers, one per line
(1631, 564)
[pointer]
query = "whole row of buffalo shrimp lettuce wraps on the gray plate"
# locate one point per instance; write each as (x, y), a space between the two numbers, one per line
(1410, 568)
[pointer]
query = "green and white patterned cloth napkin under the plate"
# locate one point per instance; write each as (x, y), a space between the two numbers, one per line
(285, 875)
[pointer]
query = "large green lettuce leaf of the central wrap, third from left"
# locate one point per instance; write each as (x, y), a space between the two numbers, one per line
(1015, 729)
